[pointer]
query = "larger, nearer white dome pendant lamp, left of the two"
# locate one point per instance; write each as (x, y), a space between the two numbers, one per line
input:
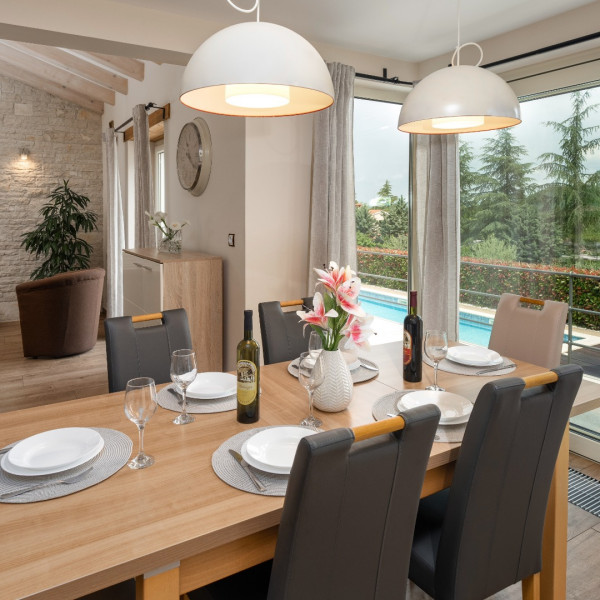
(256, 70)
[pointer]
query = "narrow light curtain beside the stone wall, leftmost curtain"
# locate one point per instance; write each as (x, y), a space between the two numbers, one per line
(114, 227)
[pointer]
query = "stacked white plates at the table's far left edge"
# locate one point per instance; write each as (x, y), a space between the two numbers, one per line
(53, 451)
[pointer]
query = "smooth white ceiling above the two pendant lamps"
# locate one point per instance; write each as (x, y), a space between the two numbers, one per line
(411, 30)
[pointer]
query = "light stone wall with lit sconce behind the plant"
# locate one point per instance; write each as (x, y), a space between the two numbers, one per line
(65, 142)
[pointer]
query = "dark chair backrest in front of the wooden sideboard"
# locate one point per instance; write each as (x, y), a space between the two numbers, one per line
(145, 351)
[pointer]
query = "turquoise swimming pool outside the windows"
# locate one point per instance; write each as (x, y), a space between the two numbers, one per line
(472, 327)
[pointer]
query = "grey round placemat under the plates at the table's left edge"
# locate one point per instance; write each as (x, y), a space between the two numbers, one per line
(114, 455)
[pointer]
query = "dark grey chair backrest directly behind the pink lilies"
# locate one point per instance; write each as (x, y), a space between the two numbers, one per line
(282, 333)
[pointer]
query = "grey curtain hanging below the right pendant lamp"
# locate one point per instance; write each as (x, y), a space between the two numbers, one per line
(435, 220)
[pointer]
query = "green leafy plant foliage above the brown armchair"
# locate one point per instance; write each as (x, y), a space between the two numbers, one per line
(56, 237)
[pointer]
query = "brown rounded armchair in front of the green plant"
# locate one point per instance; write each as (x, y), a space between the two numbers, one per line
(59, 315)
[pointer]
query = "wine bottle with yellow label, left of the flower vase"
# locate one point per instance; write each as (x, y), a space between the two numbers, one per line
(248, 375)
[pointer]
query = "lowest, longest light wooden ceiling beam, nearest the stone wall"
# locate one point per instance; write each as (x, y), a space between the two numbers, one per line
(45, 71)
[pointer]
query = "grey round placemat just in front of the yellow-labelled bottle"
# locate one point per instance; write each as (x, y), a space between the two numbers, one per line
(230, 471)
